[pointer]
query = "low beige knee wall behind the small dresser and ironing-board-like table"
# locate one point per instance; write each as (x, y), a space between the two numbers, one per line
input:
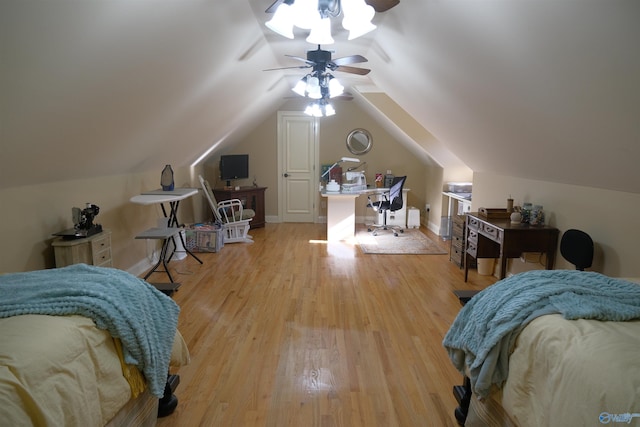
(31, 214)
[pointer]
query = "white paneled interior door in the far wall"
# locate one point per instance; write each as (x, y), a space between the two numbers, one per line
(297, 154)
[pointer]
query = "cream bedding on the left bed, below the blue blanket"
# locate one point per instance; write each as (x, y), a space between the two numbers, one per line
(66, 372)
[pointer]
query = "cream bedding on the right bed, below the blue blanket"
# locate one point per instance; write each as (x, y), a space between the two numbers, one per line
(572, 372)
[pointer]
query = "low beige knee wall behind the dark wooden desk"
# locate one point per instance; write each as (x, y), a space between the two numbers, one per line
(609, 217)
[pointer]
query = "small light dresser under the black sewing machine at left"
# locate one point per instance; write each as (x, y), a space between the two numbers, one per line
(92, 250)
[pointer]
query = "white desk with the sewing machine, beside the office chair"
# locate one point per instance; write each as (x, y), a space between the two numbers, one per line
(341, 211)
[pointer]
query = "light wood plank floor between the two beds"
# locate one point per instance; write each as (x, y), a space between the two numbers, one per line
(291, 331)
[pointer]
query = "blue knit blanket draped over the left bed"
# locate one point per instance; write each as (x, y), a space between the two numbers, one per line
(129, 308)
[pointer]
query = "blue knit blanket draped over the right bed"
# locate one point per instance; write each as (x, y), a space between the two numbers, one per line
(483, 334)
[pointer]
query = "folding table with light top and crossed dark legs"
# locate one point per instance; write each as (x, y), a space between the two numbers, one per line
(173, 198)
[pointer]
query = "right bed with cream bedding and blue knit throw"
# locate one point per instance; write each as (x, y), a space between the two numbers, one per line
(548, 347)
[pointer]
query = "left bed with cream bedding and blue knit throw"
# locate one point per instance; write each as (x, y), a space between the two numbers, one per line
(85, 346)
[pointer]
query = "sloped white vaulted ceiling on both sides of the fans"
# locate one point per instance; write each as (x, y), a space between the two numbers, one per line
(541, 89)
